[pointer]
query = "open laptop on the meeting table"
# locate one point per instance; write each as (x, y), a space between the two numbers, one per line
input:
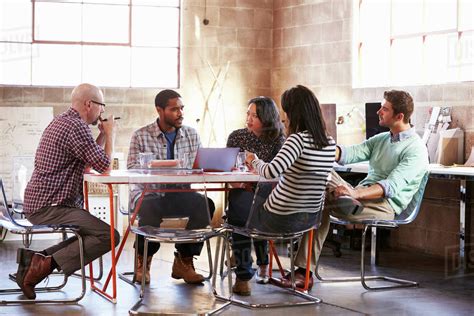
(216, 159)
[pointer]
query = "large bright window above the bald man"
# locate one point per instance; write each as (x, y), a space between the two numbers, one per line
(112, 43)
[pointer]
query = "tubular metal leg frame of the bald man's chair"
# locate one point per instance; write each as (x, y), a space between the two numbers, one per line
(55, 288)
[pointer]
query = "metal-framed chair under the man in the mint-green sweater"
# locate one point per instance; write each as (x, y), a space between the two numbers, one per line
(407, 216)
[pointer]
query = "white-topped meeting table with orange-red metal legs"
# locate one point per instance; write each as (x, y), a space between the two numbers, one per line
(150, 176)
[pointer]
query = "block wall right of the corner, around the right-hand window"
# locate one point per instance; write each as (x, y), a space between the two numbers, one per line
(312, 46)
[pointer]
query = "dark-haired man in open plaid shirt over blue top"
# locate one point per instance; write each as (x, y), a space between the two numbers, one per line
(168, 138)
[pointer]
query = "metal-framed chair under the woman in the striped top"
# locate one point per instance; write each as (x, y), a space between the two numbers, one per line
(252, 232)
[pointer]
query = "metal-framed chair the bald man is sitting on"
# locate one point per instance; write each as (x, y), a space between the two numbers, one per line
(23, 227)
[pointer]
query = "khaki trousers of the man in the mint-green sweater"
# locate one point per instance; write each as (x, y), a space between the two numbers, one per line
(373, 209)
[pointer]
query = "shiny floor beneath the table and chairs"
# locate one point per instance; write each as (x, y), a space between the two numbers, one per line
(438, 294)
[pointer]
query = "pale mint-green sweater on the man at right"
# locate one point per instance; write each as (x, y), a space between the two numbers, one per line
(398, 166)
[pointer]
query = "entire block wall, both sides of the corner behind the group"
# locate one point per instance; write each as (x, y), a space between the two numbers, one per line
(272, 45)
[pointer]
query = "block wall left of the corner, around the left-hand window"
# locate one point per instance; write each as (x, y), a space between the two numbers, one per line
(239, 32)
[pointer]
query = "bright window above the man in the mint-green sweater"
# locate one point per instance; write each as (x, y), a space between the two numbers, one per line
(412, 42)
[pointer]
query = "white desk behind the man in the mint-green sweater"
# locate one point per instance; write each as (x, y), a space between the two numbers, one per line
(460, 173)
